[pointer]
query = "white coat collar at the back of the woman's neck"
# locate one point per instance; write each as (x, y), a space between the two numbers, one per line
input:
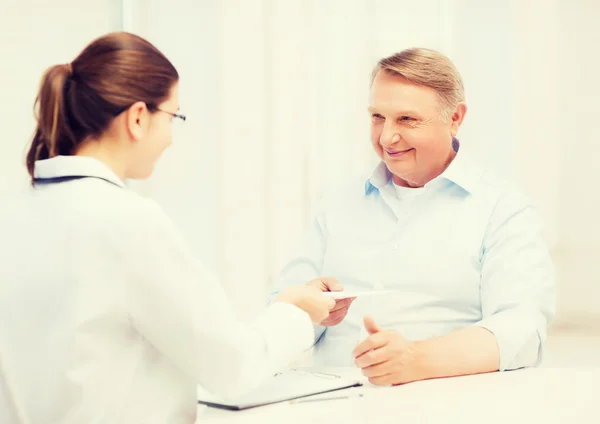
(74, 166)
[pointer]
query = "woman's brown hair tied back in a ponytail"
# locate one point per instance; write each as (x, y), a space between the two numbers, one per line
(79, 100)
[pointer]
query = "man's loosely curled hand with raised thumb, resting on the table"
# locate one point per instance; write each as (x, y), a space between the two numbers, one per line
(386, 357)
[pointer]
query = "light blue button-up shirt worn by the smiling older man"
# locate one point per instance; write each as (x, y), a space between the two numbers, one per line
(464, 250)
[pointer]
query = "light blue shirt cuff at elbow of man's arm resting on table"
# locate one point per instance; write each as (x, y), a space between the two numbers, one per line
(518, 337)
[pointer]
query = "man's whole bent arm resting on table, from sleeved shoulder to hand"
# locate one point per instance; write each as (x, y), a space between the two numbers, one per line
(518, 300)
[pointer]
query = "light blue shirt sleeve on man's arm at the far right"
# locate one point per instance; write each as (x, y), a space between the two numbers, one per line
(518, 293)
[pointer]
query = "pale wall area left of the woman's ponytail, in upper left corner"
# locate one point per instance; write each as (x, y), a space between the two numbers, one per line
(36, 34)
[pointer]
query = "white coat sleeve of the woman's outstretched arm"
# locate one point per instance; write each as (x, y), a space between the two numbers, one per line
(183, 311)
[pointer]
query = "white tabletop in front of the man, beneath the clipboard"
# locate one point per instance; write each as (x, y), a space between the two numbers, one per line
(539, 395)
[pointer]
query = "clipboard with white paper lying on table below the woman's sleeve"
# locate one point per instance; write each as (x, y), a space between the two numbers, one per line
(283, 387)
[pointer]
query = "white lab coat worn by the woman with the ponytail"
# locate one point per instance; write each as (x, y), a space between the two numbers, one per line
(105, 317)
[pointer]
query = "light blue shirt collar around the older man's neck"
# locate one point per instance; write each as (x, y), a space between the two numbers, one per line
(462, 171)
